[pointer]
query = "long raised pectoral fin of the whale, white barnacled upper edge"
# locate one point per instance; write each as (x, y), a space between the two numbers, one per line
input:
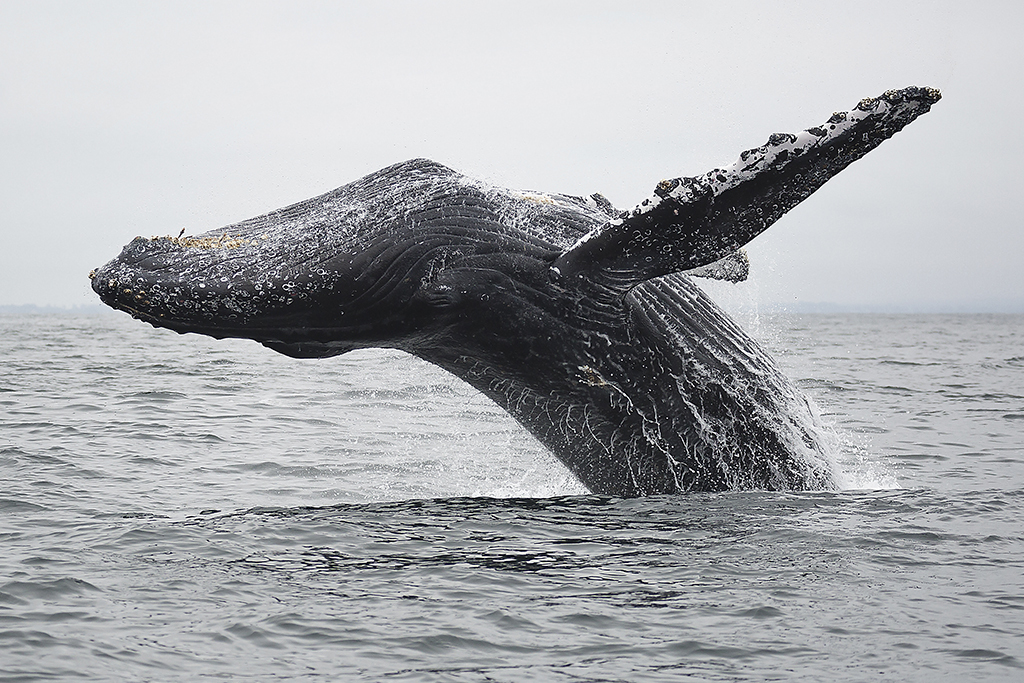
(693, 223)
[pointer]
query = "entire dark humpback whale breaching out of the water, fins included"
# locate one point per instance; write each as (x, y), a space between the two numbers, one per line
(580, 320)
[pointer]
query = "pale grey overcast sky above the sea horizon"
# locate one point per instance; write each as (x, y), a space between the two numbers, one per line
(120, 119)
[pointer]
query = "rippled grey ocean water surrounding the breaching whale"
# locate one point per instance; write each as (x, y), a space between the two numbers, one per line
(174, 508)
